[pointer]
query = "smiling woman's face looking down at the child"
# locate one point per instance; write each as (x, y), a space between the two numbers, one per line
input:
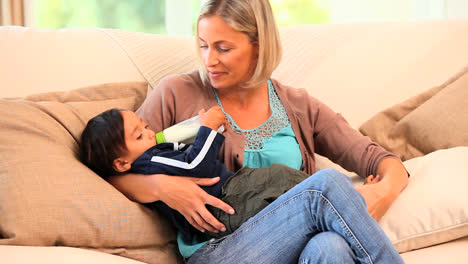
(228, 54)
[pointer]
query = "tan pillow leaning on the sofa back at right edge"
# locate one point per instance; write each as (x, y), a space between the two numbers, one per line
(435, 119)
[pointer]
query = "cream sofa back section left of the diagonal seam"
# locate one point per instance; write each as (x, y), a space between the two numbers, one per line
(34, 60)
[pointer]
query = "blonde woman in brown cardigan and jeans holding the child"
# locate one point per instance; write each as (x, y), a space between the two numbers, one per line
(239, 48)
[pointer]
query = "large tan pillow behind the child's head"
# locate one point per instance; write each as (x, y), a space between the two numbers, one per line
(49, 198)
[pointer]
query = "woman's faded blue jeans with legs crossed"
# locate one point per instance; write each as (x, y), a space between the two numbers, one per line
(321, 220)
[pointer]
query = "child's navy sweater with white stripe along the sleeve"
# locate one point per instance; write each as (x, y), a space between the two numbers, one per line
(200, 159)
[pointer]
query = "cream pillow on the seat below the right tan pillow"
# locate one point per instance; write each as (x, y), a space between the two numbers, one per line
(433, 208)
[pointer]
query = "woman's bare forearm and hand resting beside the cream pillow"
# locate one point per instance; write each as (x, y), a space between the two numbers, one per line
(381, 195)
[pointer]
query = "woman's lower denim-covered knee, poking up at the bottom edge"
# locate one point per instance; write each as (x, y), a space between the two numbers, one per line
(327, 247)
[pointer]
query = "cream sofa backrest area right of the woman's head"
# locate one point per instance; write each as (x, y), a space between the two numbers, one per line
(360, 69)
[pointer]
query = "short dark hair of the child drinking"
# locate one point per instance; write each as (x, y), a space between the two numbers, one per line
(103, 141)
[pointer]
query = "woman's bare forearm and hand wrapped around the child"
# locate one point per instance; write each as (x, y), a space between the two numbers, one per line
(180, 193)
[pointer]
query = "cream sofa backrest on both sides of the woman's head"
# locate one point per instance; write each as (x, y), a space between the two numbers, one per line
(357, 69)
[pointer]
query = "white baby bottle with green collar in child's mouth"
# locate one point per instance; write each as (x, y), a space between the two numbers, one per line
(184, 132)
